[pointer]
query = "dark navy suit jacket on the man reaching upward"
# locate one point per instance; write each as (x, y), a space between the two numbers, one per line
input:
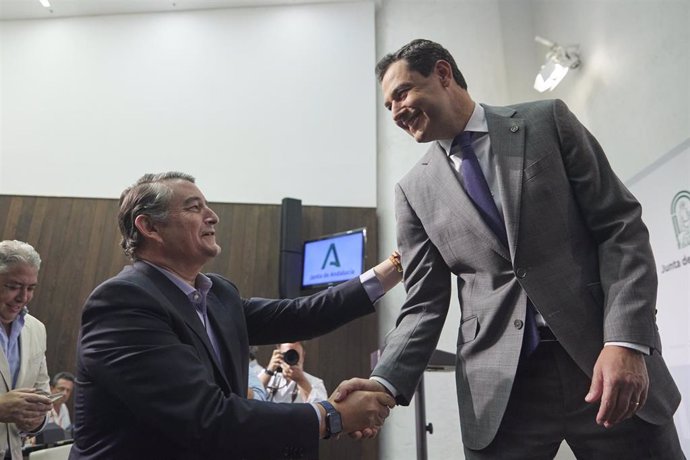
(149, 385)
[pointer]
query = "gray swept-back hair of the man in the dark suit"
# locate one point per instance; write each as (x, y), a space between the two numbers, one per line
(149, 196)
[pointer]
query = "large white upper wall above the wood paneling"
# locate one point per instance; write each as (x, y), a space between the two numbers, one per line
(258, 103)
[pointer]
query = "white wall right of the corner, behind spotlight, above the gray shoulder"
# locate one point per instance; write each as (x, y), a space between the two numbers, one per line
(632, 89)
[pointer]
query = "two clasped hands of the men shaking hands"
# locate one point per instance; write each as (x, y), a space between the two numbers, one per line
(362, 407)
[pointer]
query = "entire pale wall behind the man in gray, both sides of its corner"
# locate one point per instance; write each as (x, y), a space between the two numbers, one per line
(632, 92)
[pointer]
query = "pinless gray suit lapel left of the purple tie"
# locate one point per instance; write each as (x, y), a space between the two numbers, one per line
(441, 176)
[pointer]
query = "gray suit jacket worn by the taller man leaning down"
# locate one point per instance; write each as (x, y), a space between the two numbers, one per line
(577, 248)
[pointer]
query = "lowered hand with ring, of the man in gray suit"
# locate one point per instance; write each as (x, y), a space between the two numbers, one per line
(620, 382)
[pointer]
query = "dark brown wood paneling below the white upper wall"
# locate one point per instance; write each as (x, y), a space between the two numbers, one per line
(78, 241)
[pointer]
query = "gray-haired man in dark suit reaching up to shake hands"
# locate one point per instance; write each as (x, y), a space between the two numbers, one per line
(162, 355)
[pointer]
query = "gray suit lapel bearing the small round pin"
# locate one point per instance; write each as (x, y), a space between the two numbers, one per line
(508, 148)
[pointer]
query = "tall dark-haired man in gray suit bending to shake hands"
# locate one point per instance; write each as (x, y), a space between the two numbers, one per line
(557, 283)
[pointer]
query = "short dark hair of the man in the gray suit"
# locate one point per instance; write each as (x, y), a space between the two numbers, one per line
(421, 56)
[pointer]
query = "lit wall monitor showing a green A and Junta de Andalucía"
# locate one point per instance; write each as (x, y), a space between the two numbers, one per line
(332, 259)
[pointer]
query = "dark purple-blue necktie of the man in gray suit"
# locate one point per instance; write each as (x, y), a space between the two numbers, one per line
(478, 190)
